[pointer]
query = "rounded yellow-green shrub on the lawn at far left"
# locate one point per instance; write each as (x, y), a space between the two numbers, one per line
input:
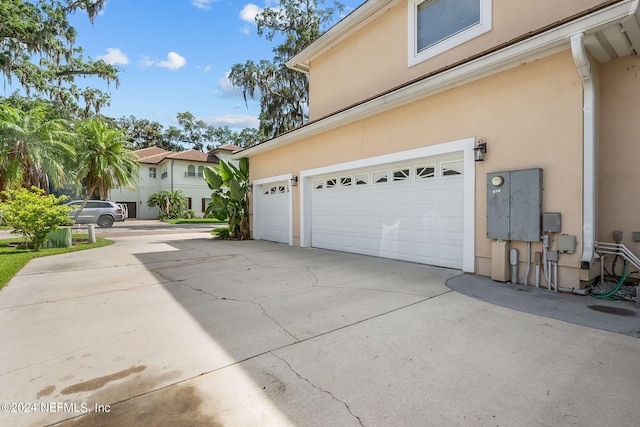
(33, 215)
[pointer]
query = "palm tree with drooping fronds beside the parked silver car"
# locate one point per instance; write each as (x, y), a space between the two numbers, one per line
(103, 161)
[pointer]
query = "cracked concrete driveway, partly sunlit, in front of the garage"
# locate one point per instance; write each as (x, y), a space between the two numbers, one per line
(182, 329)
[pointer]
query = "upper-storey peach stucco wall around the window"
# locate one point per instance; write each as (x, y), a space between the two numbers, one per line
(374, 59)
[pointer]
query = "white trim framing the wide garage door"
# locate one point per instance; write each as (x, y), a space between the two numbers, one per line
(465, 145)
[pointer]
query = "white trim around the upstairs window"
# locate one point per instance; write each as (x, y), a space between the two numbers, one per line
(416, 57)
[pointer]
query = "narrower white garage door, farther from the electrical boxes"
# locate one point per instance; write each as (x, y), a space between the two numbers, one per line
(273, 213)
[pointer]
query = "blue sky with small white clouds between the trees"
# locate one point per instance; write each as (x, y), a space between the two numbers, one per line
(175, 56)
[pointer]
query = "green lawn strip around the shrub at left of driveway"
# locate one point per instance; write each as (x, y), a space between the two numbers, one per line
(12, 259)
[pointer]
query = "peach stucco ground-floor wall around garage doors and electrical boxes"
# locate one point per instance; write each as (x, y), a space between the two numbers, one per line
(529, 120)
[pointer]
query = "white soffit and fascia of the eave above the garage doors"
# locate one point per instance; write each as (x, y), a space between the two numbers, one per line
(602, 28)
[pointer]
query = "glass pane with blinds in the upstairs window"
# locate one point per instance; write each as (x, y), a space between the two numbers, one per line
(438, 20)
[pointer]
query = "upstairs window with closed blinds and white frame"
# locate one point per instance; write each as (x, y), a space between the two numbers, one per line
(439, 25)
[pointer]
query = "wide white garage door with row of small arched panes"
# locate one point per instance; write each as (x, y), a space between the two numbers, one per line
(410, 211)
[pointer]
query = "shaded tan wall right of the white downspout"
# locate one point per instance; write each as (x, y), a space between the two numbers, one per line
(618, 155)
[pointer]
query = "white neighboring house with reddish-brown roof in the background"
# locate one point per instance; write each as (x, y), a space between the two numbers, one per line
(162, 170)
